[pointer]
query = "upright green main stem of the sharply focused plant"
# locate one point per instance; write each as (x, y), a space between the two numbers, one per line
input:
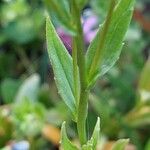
(83, 101)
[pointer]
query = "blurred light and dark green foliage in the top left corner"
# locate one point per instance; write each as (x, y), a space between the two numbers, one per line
(18, 22)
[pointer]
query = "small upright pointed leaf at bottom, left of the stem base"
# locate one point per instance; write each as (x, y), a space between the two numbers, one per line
(65, 142)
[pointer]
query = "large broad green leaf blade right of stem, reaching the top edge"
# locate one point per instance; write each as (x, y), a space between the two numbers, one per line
(113, 42)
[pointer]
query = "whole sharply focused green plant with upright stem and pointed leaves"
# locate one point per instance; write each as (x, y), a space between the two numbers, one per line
(75, 76)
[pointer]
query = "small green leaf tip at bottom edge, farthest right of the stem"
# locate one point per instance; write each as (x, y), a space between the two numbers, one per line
(120, 144)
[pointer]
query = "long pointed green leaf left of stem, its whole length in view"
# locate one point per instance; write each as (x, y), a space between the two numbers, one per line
(62, 66)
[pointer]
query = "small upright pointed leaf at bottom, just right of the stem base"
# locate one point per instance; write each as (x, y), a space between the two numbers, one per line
(91, 144)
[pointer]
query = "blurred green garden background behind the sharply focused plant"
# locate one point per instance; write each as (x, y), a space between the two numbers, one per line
(31, 112)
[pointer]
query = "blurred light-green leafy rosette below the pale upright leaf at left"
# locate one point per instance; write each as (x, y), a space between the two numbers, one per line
(24, 114)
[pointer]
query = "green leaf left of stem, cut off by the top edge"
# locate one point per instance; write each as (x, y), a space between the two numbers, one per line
(61, 11)
